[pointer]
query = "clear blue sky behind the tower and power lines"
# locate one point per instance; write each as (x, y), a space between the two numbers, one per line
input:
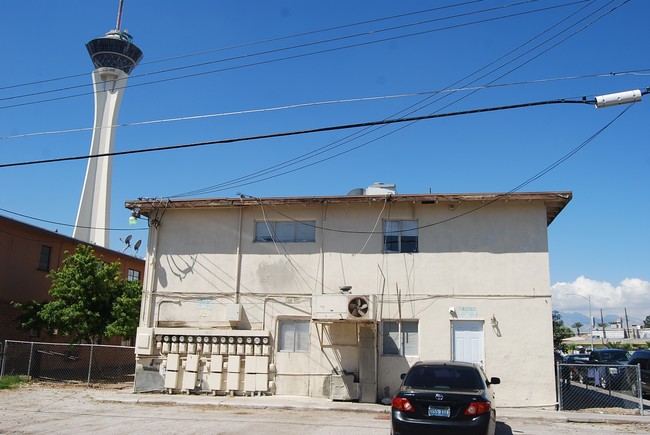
(227, 64)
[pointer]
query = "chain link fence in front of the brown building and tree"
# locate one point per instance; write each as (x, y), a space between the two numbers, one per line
(89, 363)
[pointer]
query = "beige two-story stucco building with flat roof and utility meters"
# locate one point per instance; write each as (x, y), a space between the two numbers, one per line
(337, 296)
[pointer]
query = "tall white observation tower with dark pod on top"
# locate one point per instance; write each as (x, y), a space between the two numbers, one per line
(114, 57)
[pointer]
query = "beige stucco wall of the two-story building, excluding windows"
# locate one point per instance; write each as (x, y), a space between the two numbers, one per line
(493, 260)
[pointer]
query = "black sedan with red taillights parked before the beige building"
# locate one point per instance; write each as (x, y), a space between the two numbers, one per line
(448, 397)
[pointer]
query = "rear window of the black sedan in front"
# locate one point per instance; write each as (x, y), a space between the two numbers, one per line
(444, 377)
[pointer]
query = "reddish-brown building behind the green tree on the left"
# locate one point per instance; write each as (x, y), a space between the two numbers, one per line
(27, 255)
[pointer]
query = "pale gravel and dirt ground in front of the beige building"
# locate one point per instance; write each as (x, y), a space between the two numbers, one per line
(61, 408)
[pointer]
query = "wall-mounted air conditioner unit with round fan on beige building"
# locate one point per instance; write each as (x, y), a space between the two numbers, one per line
(343, 307)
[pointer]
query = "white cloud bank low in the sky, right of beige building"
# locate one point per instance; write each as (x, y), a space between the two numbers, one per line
(632, 294)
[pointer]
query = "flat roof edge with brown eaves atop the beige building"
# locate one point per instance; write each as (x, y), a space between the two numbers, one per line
(554, 201)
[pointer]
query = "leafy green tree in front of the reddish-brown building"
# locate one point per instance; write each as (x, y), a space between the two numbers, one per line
(91, 299)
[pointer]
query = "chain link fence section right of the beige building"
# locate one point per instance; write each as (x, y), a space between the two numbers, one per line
(611, 389)
